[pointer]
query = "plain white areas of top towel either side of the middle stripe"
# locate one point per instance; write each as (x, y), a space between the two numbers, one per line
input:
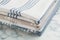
(36, 11)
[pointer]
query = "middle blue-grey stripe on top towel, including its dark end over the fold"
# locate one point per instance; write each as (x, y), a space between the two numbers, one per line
(26, 6)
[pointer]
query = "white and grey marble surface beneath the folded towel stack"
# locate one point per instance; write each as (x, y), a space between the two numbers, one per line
(52, 32)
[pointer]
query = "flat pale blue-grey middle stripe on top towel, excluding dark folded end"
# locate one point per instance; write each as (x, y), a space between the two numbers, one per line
(28, 5)
